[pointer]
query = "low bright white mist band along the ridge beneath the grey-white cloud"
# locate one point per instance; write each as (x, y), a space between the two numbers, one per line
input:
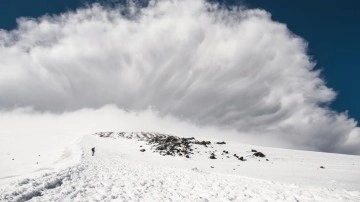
(24, 129)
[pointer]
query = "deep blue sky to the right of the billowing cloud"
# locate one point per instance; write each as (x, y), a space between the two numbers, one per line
(332, 30)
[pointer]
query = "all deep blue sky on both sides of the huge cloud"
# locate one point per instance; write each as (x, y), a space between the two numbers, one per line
(331, 29)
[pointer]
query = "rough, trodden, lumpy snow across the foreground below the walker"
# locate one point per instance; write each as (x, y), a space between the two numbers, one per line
(109, 177)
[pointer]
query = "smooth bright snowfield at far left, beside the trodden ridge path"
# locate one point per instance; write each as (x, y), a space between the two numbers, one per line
(35, 153)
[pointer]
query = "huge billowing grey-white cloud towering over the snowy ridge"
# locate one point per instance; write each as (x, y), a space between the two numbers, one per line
(234, 69)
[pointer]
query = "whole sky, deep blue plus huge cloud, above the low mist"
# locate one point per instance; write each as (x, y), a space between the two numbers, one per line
(243, 71)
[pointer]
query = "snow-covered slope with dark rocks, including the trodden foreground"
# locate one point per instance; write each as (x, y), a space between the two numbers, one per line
(120, 171)
